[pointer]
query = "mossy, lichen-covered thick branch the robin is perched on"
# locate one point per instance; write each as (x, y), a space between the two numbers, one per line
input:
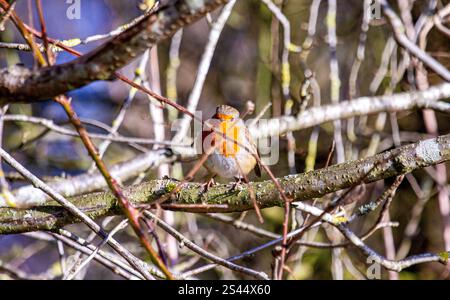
(220, 199)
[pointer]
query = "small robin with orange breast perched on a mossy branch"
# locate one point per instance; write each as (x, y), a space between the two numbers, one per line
(229, 145)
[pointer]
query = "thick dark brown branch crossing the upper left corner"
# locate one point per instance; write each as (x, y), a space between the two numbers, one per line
(19, 84)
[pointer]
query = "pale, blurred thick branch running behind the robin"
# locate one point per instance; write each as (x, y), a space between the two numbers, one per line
(85, 183)
